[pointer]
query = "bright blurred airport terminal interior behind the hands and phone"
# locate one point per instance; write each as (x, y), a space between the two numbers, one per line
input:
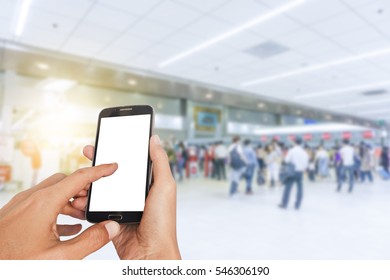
(275, 74)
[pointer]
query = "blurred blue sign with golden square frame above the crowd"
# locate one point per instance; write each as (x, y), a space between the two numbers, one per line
(206, 119)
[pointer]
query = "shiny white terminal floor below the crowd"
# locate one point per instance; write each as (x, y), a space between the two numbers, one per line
(329, 225)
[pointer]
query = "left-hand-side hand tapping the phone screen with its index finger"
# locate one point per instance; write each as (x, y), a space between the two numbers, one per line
(28, 228)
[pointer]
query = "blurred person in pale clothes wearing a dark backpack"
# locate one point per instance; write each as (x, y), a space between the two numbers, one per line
(238, 164)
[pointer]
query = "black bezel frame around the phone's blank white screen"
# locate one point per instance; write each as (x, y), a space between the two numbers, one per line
(128, 217)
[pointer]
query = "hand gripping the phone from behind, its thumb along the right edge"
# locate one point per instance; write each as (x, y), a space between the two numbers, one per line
(155, 237)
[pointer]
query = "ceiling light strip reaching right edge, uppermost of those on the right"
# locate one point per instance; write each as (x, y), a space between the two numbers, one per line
(317, 67)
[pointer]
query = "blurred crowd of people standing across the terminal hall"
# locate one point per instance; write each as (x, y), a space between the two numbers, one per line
(278, 163)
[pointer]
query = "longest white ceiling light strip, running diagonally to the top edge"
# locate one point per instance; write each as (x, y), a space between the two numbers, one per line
(231, 33)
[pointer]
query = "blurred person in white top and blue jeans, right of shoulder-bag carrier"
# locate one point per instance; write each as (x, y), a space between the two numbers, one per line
(347, 155)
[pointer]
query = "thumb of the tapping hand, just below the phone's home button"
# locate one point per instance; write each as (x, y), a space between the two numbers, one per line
(91, 240)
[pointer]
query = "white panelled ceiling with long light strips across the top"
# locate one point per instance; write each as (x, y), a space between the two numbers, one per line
(314, 39)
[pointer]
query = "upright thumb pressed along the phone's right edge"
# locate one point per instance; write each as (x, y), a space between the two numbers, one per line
(161, 169)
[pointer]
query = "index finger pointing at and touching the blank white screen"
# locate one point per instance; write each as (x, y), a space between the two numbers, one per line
(79, 180)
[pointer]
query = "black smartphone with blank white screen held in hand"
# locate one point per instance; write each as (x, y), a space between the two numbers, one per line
(123, 135)
